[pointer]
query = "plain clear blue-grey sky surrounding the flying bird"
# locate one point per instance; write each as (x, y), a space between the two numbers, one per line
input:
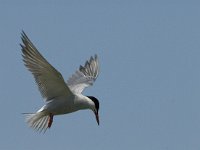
(148, 87)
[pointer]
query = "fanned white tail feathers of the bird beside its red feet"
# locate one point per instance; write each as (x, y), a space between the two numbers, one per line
(38, 121)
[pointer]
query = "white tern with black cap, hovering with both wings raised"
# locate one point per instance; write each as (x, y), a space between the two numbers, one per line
(61, 97)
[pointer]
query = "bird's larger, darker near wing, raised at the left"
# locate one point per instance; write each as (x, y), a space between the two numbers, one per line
(50, 82)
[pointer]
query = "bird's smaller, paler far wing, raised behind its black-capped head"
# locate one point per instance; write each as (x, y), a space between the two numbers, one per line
(85, 76)
